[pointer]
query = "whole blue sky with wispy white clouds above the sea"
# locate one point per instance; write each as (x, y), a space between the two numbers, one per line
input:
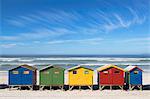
(53, 27)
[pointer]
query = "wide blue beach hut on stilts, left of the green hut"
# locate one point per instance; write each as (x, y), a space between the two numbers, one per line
(23, 75)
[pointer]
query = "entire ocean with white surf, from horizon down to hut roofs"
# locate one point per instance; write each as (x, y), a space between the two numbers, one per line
(9, 61)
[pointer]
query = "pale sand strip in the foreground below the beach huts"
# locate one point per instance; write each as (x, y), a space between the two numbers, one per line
(75, 94)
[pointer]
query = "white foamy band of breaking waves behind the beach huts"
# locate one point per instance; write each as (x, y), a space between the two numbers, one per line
(76, 60)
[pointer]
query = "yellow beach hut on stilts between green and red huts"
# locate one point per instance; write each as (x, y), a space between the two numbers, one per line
(80, 76)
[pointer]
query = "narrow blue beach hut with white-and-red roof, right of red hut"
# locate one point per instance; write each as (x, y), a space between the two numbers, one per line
(133, 77)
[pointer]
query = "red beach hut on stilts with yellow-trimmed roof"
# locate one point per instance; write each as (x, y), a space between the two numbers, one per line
(110, 75)
